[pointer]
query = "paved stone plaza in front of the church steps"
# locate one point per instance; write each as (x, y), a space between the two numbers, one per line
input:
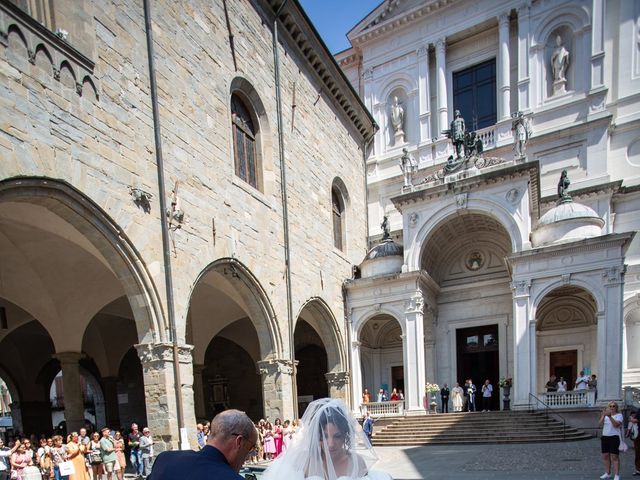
(574, 460)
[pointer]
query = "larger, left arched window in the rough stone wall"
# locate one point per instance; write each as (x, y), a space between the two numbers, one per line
(244, 141)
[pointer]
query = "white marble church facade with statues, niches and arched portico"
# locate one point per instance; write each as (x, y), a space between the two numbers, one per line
(499, 277)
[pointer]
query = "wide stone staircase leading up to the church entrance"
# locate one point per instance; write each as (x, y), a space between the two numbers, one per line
(478, 427)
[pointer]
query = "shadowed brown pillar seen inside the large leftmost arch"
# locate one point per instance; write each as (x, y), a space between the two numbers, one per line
(73, 401)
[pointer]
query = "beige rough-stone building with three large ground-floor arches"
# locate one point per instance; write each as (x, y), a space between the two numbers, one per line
(264, 211)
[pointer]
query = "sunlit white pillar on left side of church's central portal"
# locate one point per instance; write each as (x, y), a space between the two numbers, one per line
(414, 372)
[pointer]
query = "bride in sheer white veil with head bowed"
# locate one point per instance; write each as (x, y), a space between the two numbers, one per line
(330, 446)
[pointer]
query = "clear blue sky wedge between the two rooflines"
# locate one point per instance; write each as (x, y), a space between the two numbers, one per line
(334, 18)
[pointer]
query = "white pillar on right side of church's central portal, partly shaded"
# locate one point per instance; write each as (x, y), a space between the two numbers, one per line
(522, 369)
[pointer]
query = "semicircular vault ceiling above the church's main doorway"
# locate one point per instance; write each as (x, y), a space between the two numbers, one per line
(456, 237)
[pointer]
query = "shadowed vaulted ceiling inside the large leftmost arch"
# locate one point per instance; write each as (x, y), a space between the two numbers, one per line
(50, 270)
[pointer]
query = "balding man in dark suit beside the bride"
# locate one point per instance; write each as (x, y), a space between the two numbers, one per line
(231, 438)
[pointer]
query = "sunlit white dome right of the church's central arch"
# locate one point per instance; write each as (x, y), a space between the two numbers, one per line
(567, 222)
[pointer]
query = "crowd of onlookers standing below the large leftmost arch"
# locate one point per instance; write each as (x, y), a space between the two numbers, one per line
(77, 456)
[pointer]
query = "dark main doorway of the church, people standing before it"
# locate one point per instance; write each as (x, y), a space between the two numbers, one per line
(479, 359)
